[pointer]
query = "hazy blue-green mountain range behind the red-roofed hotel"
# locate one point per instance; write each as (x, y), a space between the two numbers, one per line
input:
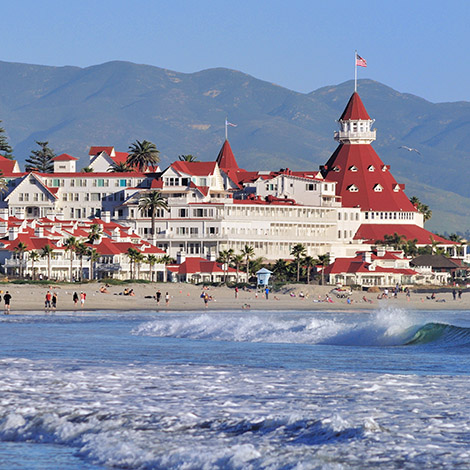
(115, 103)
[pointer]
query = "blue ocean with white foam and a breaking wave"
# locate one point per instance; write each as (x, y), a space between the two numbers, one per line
(384, 389)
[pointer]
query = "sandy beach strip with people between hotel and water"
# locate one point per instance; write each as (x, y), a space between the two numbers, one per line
(29, 298)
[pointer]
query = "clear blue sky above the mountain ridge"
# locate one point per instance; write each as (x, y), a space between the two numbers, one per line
(413, 46)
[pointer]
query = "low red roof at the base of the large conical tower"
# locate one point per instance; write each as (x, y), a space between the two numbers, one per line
(373, 232)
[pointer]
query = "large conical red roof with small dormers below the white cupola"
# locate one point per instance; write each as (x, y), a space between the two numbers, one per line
(364, 181)
